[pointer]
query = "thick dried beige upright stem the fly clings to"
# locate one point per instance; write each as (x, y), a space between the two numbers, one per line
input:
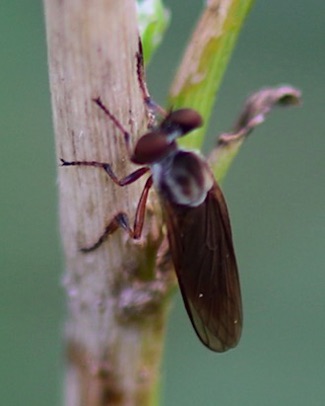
(92, 50)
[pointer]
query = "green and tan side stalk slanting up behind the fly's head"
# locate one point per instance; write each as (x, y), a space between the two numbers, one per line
(200, 74)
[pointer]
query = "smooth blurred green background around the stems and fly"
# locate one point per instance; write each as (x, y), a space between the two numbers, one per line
(275, 192)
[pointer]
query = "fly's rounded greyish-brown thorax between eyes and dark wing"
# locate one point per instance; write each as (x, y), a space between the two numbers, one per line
(182, 177)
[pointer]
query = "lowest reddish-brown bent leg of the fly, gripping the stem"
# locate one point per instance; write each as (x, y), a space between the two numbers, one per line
(121, 220)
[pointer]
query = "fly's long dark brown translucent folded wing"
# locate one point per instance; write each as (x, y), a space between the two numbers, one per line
(203, 255)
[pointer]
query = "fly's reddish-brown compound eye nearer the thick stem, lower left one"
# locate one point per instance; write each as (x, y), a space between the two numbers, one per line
(152, 147)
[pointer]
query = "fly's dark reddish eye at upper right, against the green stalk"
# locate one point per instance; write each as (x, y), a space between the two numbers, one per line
(182, 120)
